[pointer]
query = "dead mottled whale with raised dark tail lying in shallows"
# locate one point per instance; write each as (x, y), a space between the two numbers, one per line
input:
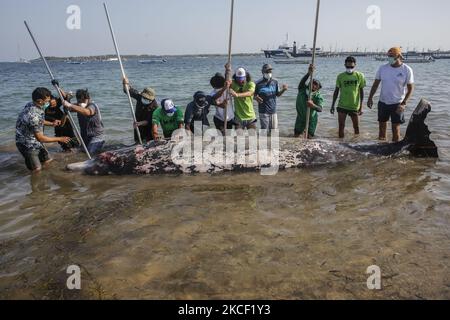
(170, 157)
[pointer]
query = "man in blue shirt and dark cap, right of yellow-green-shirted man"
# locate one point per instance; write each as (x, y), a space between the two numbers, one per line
(266, 93)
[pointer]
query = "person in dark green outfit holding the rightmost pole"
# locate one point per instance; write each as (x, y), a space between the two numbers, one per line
(303, 103)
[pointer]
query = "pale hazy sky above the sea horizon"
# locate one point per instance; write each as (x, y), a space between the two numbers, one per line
(201, 26)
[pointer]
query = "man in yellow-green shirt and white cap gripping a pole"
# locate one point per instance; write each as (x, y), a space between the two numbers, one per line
(243, 89)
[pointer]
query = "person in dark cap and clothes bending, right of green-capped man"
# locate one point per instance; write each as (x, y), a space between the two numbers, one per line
(197, 111)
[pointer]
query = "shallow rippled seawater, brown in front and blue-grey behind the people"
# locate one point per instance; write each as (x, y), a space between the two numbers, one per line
(301, 234)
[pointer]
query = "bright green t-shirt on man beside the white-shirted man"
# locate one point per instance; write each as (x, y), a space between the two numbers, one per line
(350, 86)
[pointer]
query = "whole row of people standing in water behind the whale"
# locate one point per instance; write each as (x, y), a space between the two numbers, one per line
(236, 96)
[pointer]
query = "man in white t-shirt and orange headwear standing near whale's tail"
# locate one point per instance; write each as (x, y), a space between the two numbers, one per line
(397, 86)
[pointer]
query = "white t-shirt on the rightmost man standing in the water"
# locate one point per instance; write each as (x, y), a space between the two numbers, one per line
(394, 82)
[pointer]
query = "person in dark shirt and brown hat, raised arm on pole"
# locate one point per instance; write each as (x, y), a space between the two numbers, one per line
(146, 104)
